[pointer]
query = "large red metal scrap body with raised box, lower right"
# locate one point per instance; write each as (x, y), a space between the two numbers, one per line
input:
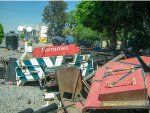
(121, 84)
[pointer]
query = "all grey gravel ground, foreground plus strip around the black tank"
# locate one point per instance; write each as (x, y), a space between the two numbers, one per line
(14, 99)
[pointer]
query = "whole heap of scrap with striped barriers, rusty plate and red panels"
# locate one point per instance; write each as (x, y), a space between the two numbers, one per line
(122, 83)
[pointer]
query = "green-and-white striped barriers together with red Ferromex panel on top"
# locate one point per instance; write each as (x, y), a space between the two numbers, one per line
(46, 61)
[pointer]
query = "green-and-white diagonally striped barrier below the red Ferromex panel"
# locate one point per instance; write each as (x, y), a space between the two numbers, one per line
(34, 68)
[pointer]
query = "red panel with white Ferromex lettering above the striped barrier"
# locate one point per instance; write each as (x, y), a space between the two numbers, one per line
(55, 50)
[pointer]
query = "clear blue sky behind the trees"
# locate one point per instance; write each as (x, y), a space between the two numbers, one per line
(16, 13)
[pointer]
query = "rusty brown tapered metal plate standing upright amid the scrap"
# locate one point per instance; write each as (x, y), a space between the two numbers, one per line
(69, 82)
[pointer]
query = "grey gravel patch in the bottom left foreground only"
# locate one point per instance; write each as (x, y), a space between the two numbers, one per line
(14, 99)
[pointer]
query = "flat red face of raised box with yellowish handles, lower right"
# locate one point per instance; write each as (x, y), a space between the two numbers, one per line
(125, 84)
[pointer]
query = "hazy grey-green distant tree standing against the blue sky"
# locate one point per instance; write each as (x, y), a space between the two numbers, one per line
(54, 16)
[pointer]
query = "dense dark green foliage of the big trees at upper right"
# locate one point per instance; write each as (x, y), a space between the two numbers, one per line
(116, 20)
